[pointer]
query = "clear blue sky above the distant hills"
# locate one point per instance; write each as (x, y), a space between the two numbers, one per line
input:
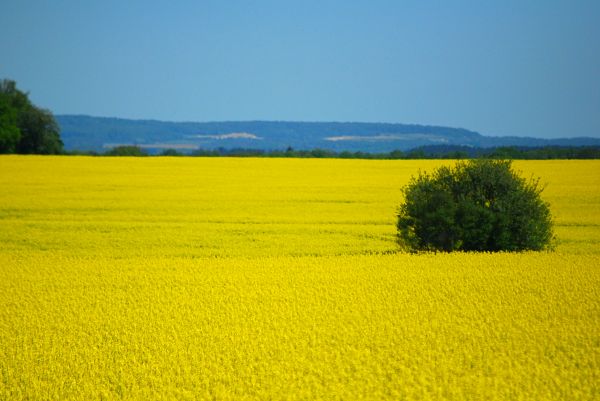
(498, 67)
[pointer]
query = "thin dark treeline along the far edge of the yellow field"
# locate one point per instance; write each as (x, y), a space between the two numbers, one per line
(428, 152)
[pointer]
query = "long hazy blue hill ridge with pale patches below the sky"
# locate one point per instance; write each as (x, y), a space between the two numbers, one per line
(100, 133)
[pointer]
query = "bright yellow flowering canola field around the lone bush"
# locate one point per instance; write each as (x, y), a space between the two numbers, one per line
(233, 279)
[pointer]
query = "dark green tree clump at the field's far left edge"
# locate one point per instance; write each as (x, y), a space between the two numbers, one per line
(25, 128)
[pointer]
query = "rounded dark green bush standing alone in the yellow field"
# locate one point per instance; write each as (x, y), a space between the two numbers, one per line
(478, 205)
